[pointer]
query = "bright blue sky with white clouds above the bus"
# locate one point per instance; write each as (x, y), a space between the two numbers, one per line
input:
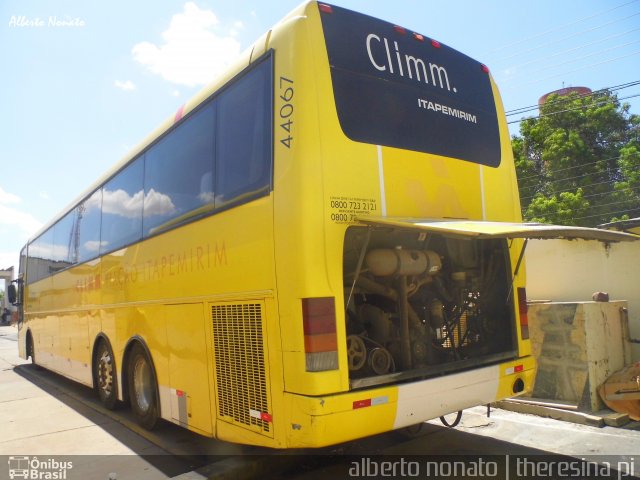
(83, 82)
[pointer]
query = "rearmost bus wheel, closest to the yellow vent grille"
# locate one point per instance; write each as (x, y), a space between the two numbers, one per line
(142, 388)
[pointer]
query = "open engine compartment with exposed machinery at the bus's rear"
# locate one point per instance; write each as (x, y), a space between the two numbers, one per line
(421, 304)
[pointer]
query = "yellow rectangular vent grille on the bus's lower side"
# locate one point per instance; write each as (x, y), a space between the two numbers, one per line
(240, 365)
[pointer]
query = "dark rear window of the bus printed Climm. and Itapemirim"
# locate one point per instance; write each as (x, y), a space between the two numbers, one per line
(395, 88)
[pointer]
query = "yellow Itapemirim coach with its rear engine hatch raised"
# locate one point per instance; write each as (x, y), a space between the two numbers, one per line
(320, 246)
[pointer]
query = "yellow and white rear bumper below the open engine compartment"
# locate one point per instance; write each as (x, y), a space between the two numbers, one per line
(329, 420)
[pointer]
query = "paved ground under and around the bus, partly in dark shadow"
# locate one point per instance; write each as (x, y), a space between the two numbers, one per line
(45, 415)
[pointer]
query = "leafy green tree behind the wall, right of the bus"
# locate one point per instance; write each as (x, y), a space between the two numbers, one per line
(578, 163)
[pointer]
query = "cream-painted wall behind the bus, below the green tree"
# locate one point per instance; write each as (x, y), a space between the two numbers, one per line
(572, 270)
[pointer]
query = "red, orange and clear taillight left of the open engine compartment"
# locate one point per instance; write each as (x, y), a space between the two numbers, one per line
(320, 342)
